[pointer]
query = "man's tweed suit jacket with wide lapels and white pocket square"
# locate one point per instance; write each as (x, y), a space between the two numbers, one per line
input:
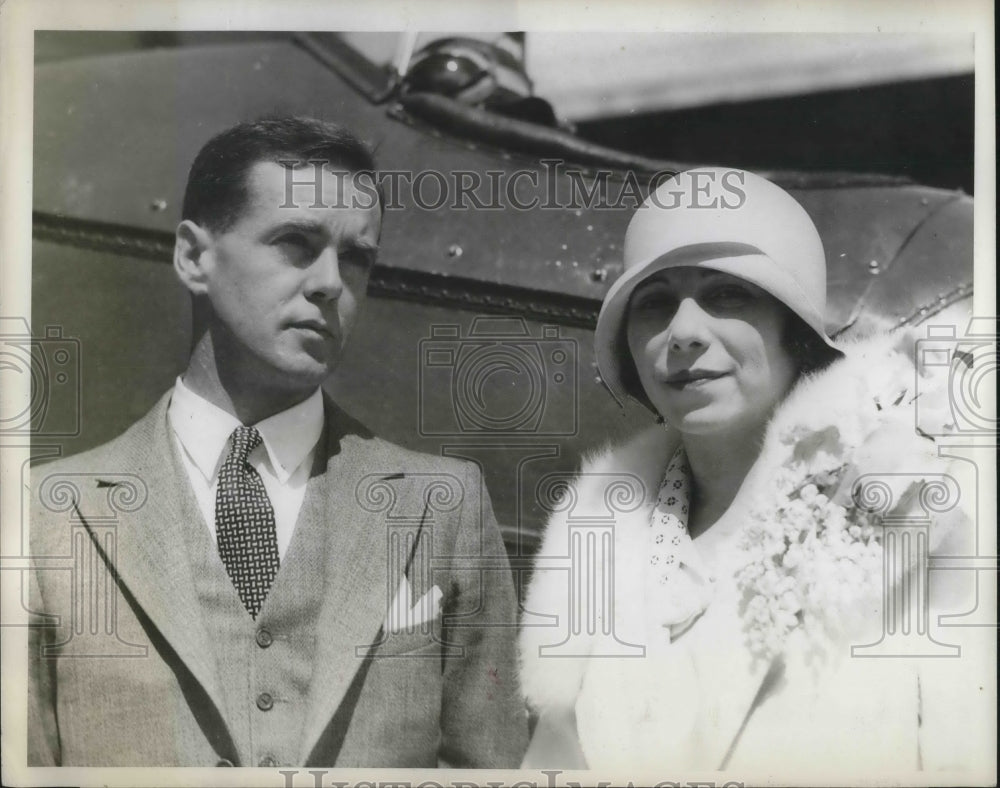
(122, 666)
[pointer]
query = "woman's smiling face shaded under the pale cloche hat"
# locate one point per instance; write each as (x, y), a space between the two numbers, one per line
(708, 349)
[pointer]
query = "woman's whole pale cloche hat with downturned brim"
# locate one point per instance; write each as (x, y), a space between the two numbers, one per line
(728, 220)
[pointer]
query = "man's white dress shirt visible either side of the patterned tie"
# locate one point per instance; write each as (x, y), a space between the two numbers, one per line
(283, 460)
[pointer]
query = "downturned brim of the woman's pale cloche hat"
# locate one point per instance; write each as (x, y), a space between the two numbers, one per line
(742, 261)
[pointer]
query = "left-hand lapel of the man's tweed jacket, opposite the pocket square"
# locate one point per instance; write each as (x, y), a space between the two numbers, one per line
(151, 558)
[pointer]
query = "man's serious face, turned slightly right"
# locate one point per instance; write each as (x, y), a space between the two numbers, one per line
(285, 283)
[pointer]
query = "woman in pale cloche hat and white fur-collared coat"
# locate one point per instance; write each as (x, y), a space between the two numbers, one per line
(749, 565)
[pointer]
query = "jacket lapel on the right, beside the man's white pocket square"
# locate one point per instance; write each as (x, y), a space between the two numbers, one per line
(356, 572)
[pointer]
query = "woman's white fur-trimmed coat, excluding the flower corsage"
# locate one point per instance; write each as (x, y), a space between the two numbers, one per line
(704, 702)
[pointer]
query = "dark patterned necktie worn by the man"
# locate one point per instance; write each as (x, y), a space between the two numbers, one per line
(244, 523)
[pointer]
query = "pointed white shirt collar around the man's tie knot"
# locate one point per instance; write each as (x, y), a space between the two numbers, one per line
(204, 429)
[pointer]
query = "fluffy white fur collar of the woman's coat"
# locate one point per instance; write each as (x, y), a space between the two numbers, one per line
(848, 397)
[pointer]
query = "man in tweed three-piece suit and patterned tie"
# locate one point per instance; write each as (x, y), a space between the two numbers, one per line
(263, 618)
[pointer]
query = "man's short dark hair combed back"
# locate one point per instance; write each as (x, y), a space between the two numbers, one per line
(216, 191)
